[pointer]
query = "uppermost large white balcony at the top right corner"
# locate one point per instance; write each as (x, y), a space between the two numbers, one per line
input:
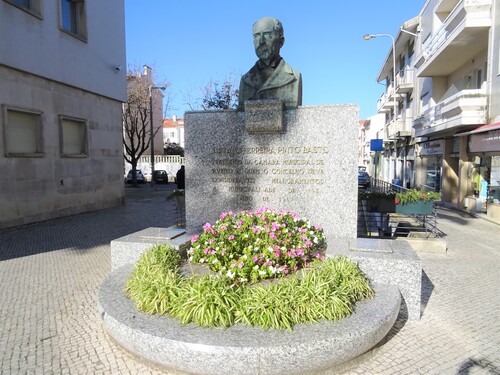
(463, 34)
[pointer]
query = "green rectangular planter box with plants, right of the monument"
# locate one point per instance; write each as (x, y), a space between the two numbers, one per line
(415, 201)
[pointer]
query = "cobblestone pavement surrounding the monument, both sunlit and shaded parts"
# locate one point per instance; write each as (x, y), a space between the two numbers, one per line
(50, 273)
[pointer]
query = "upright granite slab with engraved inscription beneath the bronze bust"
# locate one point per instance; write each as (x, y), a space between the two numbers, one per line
(309, 166)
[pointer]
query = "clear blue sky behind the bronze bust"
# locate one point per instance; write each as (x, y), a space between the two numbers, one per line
(192, 42)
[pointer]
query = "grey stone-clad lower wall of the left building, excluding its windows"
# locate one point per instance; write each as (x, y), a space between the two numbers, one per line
(50, 185)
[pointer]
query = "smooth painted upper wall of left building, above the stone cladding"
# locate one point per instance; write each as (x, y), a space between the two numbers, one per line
(40, 47)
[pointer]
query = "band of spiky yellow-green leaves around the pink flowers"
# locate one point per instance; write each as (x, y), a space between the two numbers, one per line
(327, 290)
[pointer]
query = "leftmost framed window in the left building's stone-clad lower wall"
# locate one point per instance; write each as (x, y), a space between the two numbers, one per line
(23, 133)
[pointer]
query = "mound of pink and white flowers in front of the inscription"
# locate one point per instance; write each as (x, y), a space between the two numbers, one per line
(253, 245)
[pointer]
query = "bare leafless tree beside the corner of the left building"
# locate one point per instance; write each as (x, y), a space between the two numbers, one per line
(136, 116)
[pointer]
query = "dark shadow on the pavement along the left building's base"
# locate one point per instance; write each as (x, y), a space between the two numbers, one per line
(144, 207)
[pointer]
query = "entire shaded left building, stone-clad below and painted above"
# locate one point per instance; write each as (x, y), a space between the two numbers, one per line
(62, 84)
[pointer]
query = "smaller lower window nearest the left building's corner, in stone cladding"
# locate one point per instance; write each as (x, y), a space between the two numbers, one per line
(73, 137)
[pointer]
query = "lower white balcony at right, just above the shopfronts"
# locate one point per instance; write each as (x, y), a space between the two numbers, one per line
(463, 111)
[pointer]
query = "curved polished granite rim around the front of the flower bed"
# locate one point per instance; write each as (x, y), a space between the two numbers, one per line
(243, 350)
